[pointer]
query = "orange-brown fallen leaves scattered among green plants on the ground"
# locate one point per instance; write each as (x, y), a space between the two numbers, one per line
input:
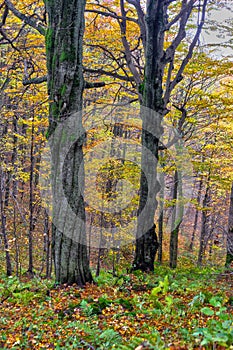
(69, 317)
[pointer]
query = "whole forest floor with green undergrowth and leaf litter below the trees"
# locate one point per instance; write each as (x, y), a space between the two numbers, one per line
(186, 308)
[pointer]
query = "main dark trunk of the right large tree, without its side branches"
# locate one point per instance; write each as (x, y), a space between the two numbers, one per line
(146, 239)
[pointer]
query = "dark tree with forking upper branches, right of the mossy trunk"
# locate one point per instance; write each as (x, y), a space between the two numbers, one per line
(156, 100)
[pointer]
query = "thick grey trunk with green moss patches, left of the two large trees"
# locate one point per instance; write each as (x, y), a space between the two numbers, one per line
(64, 39)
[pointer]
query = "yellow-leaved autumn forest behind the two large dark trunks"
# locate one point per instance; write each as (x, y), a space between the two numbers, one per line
(200, 110)
